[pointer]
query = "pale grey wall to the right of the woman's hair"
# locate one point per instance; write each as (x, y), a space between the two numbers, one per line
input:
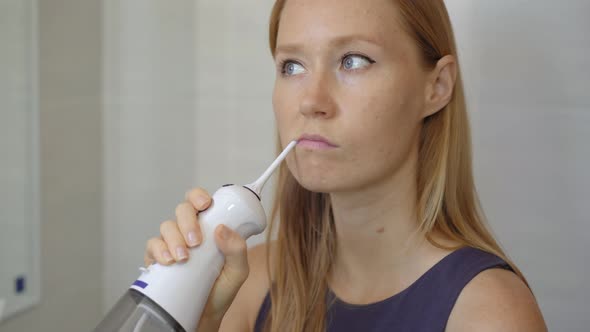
(527, 77)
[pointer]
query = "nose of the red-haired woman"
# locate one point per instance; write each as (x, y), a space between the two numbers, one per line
(317, 100)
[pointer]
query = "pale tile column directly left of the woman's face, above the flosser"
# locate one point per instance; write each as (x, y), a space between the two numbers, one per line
(235, 135)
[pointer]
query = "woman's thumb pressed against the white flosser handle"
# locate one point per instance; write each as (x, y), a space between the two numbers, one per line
(234, 248)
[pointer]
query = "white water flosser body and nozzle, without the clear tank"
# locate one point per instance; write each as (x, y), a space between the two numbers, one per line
(182, 289)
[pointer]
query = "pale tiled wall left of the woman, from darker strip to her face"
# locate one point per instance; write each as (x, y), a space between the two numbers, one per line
(180, 111)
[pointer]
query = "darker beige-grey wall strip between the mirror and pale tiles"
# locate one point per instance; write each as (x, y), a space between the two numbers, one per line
(71, 170)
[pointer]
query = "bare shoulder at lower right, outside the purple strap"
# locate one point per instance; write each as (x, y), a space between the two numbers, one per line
(496, 300)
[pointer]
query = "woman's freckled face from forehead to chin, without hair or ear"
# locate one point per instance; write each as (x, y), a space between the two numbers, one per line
(347, 71)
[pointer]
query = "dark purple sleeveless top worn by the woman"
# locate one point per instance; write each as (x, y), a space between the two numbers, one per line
(423, 306)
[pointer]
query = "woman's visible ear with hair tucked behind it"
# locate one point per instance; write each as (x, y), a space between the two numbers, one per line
(440, 85)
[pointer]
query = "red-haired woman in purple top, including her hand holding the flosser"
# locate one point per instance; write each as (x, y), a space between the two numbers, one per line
(380, 227)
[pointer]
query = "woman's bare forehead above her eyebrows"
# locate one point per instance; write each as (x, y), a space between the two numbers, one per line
(319, 21)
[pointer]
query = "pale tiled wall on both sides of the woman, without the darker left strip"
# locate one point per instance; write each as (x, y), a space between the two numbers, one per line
(187, 103)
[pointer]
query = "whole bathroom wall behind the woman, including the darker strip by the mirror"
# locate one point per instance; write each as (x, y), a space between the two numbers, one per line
(179, 110)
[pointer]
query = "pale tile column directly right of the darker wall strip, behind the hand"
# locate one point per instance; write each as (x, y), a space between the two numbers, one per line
(149, 111)
